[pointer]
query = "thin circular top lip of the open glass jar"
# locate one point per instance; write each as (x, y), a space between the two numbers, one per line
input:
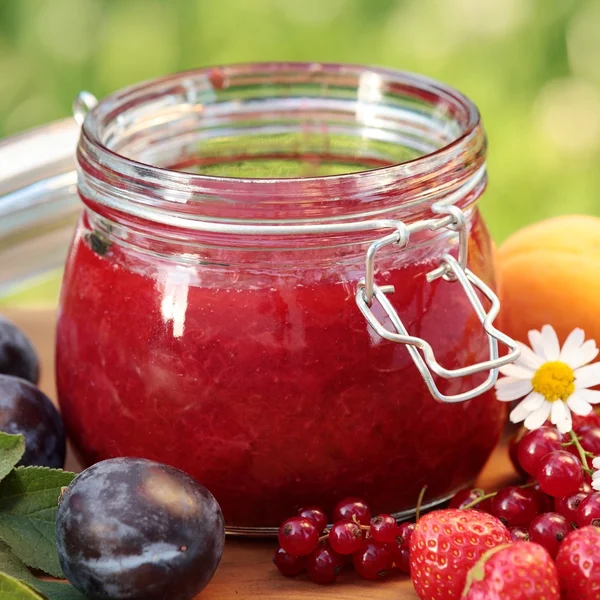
(113, 104)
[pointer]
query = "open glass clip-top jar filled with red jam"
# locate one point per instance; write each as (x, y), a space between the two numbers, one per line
(281, 283)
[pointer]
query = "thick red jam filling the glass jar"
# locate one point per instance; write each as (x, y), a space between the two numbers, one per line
(272, 391)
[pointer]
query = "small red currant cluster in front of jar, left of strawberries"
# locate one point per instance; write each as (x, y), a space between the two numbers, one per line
(373, 546)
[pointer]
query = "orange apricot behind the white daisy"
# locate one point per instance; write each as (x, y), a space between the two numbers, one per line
(549, 272)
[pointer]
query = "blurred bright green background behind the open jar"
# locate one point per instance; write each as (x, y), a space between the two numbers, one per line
(532, 67)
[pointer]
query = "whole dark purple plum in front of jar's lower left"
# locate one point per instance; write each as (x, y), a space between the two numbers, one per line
(129, 528)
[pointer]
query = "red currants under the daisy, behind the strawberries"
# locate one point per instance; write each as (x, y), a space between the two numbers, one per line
(557, 497)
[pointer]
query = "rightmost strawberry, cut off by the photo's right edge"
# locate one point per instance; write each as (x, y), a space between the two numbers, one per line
(578, 564)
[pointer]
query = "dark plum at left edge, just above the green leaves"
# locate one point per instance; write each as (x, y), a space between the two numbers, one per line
(25, 409)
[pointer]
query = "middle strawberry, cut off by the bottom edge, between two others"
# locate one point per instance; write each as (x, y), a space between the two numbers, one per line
(519, 571)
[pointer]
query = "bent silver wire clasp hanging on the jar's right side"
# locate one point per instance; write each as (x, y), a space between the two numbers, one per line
(451, 270)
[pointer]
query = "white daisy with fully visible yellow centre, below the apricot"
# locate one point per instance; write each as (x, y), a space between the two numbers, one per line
(554, 380)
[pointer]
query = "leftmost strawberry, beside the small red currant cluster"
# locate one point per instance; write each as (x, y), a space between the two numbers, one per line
(445, 545)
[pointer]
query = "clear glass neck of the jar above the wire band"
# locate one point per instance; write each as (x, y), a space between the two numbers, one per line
(438, 122)
